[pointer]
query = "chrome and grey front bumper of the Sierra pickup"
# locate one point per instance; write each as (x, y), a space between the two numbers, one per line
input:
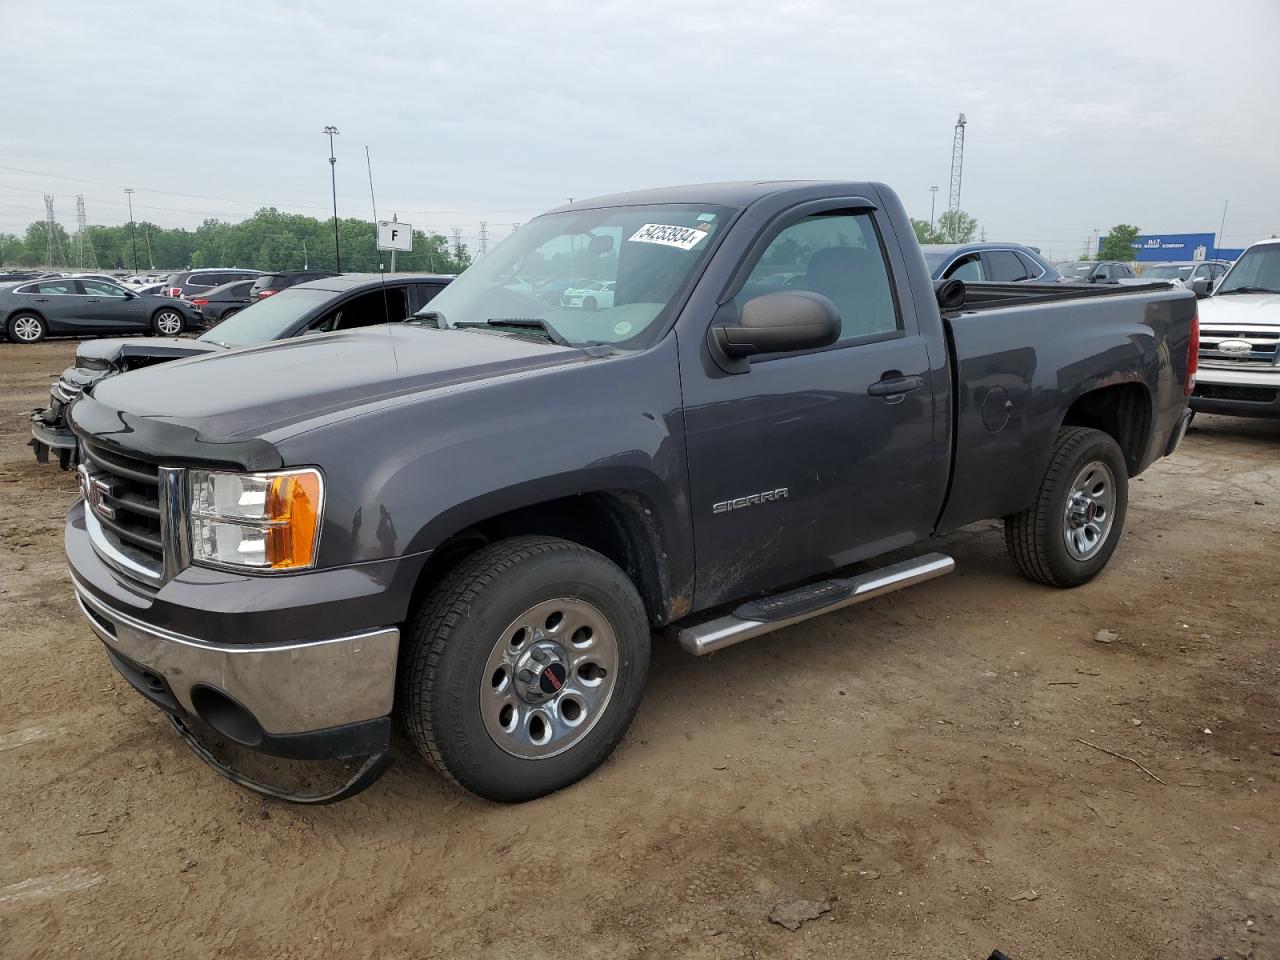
(289, 668)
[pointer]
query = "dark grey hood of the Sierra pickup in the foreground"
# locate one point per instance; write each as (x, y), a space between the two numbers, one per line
(286, 387)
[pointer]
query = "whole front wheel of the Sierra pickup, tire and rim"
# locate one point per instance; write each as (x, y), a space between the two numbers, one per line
(525, 668)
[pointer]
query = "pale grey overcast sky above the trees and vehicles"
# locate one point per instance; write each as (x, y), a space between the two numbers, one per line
(1148, 113)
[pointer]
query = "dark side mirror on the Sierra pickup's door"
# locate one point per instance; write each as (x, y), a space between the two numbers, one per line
(778, 323)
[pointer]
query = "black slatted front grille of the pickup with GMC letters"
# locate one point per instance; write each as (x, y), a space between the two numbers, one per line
(124, 495)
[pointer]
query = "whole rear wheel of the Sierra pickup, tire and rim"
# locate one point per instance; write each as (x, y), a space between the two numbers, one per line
(1069, 534)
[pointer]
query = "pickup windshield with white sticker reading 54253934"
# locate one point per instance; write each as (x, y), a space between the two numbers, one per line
(605, 276)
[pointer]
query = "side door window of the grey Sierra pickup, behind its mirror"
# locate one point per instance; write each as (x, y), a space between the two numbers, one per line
(838, 255)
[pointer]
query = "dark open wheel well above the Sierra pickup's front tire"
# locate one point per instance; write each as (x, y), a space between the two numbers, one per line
(621, 525)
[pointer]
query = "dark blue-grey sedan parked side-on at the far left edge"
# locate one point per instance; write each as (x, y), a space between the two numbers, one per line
(76, 308)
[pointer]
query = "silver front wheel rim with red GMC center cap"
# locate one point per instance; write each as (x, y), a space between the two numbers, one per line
(550, 679)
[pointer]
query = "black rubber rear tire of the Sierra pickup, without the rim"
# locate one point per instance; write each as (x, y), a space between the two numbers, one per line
(1037, 538)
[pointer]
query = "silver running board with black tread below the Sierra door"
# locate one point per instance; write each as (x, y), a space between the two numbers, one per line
(760, 618)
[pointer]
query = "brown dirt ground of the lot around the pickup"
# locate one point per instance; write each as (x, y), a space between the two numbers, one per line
(916, 762)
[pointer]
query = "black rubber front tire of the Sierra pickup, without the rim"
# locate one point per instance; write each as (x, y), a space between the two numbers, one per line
(458, 629)
